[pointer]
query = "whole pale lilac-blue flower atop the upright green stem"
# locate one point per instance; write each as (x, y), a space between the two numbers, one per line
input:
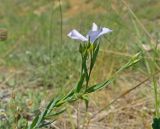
(92, 35)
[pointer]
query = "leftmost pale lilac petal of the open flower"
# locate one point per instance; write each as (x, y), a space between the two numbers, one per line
(74, 34)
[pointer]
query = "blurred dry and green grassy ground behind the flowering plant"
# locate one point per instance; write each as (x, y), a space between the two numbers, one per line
(38, 61)
